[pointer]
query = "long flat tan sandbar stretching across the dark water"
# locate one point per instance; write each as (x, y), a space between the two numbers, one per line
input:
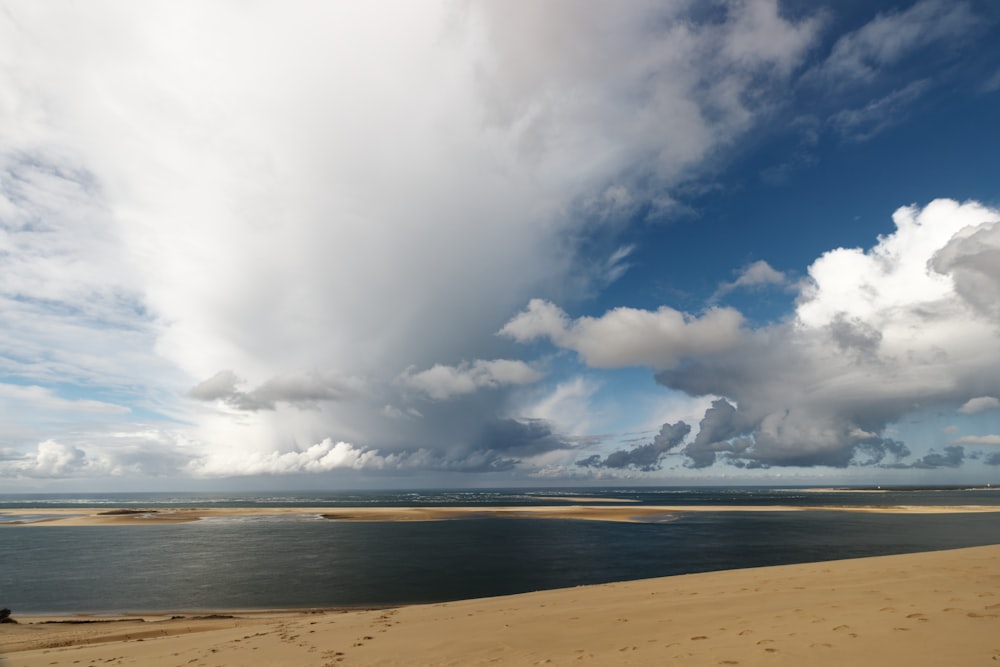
(629, 513)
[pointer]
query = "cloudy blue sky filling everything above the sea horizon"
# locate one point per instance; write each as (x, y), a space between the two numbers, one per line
(247, 245)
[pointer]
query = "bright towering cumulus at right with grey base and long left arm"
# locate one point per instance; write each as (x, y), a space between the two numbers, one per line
(877, 334)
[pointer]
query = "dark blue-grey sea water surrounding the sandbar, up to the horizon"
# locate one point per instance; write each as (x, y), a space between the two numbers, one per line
(303, 561)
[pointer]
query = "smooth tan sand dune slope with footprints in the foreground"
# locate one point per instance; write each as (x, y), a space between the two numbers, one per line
(937, 608)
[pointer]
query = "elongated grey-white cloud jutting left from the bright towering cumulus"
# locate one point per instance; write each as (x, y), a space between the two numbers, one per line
(629, 336)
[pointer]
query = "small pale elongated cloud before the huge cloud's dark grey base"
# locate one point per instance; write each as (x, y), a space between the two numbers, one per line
(441, 382)
